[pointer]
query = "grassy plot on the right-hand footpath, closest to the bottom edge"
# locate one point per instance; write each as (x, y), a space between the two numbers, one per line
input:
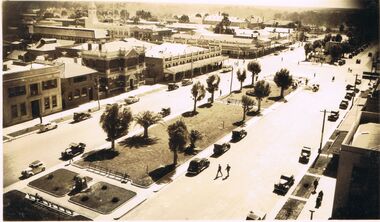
(291, 209)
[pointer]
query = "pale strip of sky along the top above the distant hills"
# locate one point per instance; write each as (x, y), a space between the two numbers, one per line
(278, 3)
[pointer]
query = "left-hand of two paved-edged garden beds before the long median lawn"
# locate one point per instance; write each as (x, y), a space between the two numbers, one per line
(57, 183)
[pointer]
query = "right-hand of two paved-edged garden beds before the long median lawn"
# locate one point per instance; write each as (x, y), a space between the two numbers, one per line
(102, 197)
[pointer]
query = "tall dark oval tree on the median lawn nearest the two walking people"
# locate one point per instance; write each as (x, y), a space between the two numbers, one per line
(178, 137)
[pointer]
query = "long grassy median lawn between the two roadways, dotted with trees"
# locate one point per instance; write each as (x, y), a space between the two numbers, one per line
(141, 162)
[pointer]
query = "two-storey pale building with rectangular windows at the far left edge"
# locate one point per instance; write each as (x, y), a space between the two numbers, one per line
(30, 91)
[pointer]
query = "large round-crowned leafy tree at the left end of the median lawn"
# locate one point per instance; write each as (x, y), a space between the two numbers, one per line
(115, 121)
